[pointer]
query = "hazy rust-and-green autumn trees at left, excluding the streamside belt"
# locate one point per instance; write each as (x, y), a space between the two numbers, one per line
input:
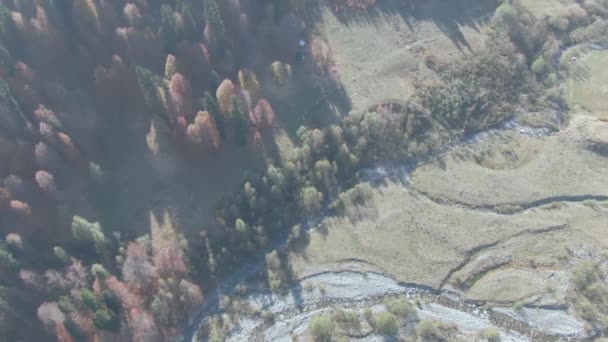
(78, 79)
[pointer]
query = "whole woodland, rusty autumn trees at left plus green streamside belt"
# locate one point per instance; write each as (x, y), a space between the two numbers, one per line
(103, 97)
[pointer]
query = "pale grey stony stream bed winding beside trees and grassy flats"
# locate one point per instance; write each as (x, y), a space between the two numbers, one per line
(356, 290)
